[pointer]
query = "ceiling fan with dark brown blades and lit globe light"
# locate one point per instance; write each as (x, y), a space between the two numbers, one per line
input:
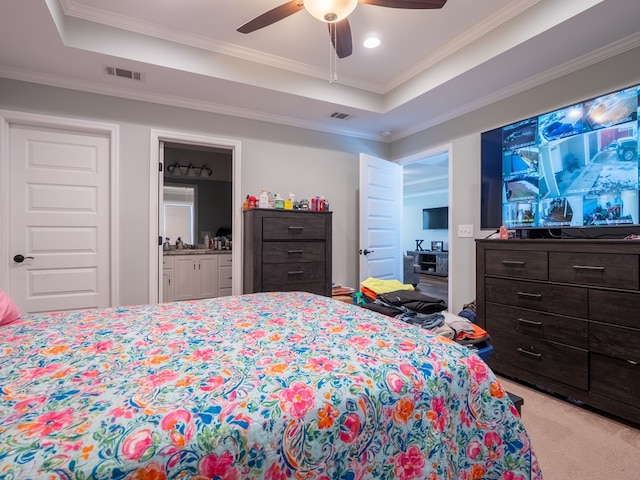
(334, 13)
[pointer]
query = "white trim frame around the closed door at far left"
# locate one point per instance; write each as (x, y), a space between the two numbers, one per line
(112, 131)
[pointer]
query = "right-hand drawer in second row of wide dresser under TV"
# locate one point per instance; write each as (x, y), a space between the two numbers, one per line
(619, 308)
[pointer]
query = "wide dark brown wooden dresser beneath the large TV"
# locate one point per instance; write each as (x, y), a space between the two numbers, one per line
(564, 315)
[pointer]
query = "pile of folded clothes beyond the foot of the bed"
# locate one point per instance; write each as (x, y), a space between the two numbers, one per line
(403, 302)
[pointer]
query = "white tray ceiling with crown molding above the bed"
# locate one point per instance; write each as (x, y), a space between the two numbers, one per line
(433, 65)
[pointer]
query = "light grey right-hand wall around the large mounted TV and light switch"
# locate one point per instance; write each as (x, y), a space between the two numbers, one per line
(464, 135)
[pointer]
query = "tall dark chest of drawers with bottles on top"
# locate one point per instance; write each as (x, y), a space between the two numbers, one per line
(286, 250)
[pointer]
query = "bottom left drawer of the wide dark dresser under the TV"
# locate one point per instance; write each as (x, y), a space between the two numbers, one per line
(550, 359)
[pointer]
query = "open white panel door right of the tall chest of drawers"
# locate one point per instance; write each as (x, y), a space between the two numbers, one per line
(380, 214)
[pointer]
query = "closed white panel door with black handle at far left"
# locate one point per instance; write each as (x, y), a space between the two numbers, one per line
(59, 217)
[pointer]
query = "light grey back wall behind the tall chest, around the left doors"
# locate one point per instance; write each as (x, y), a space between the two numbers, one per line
(281, 158)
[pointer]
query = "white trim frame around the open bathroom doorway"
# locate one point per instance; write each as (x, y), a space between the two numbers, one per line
(158, 136)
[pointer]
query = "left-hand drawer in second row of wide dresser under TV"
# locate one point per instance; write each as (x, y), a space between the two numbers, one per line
(542, 297)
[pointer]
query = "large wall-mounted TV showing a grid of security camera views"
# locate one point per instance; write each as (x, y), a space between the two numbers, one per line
(573, 167)
